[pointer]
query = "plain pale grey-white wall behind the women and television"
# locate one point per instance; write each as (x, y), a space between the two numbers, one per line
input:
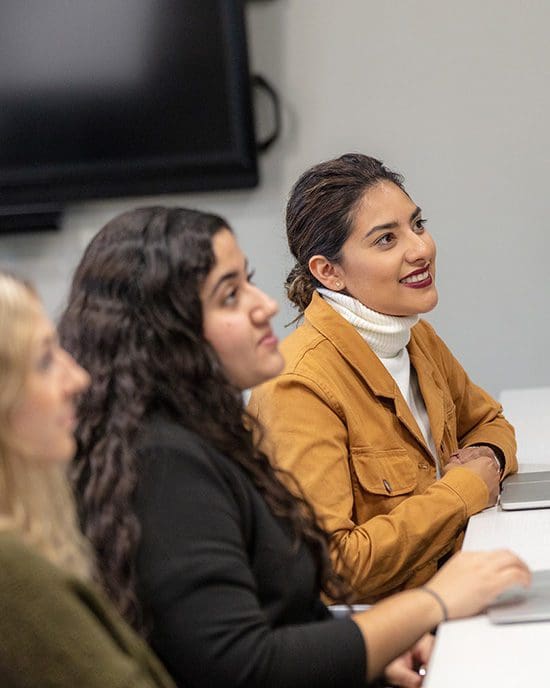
(455, 96)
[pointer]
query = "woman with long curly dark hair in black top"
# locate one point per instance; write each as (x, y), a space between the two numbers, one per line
(199, 542)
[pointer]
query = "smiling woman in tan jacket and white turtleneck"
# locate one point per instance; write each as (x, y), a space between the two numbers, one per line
(387, 436)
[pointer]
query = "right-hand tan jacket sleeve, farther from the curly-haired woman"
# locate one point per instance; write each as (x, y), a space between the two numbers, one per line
(480, 419)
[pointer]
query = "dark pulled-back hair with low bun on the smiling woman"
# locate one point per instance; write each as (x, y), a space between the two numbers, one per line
(320, 214)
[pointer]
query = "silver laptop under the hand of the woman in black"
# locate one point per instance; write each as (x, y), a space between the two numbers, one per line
(518, 605)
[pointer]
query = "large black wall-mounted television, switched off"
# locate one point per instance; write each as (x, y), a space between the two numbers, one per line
(105, 98)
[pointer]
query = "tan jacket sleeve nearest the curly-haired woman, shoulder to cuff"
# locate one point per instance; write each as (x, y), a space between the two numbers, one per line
(308, 437)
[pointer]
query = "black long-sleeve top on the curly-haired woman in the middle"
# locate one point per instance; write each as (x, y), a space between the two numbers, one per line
(232, 601)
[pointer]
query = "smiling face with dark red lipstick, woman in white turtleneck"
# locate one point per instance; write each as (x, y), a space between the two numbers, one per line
(388, 261)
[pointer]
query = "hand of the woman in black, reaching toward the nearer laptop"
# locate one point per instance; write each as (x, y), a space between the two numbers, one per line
(470, 581)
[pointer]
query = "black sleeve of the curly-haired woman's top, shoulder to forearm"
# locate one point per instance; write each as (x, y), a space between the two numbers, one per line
(198, 582)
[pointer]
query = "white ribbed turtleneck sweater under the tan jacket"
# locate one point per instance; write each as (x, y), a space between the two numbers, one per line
(388, 336)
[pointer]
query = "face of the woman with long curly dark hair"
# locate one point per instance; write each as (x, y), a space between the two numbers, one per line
(236, 317)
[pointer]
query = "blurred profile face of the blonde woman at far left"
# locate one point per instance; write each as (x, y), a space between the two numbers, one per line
(44, 418)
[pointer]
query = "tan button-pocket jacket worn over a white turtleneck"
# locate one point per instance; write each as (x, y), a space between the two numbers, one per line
(337, 421)
